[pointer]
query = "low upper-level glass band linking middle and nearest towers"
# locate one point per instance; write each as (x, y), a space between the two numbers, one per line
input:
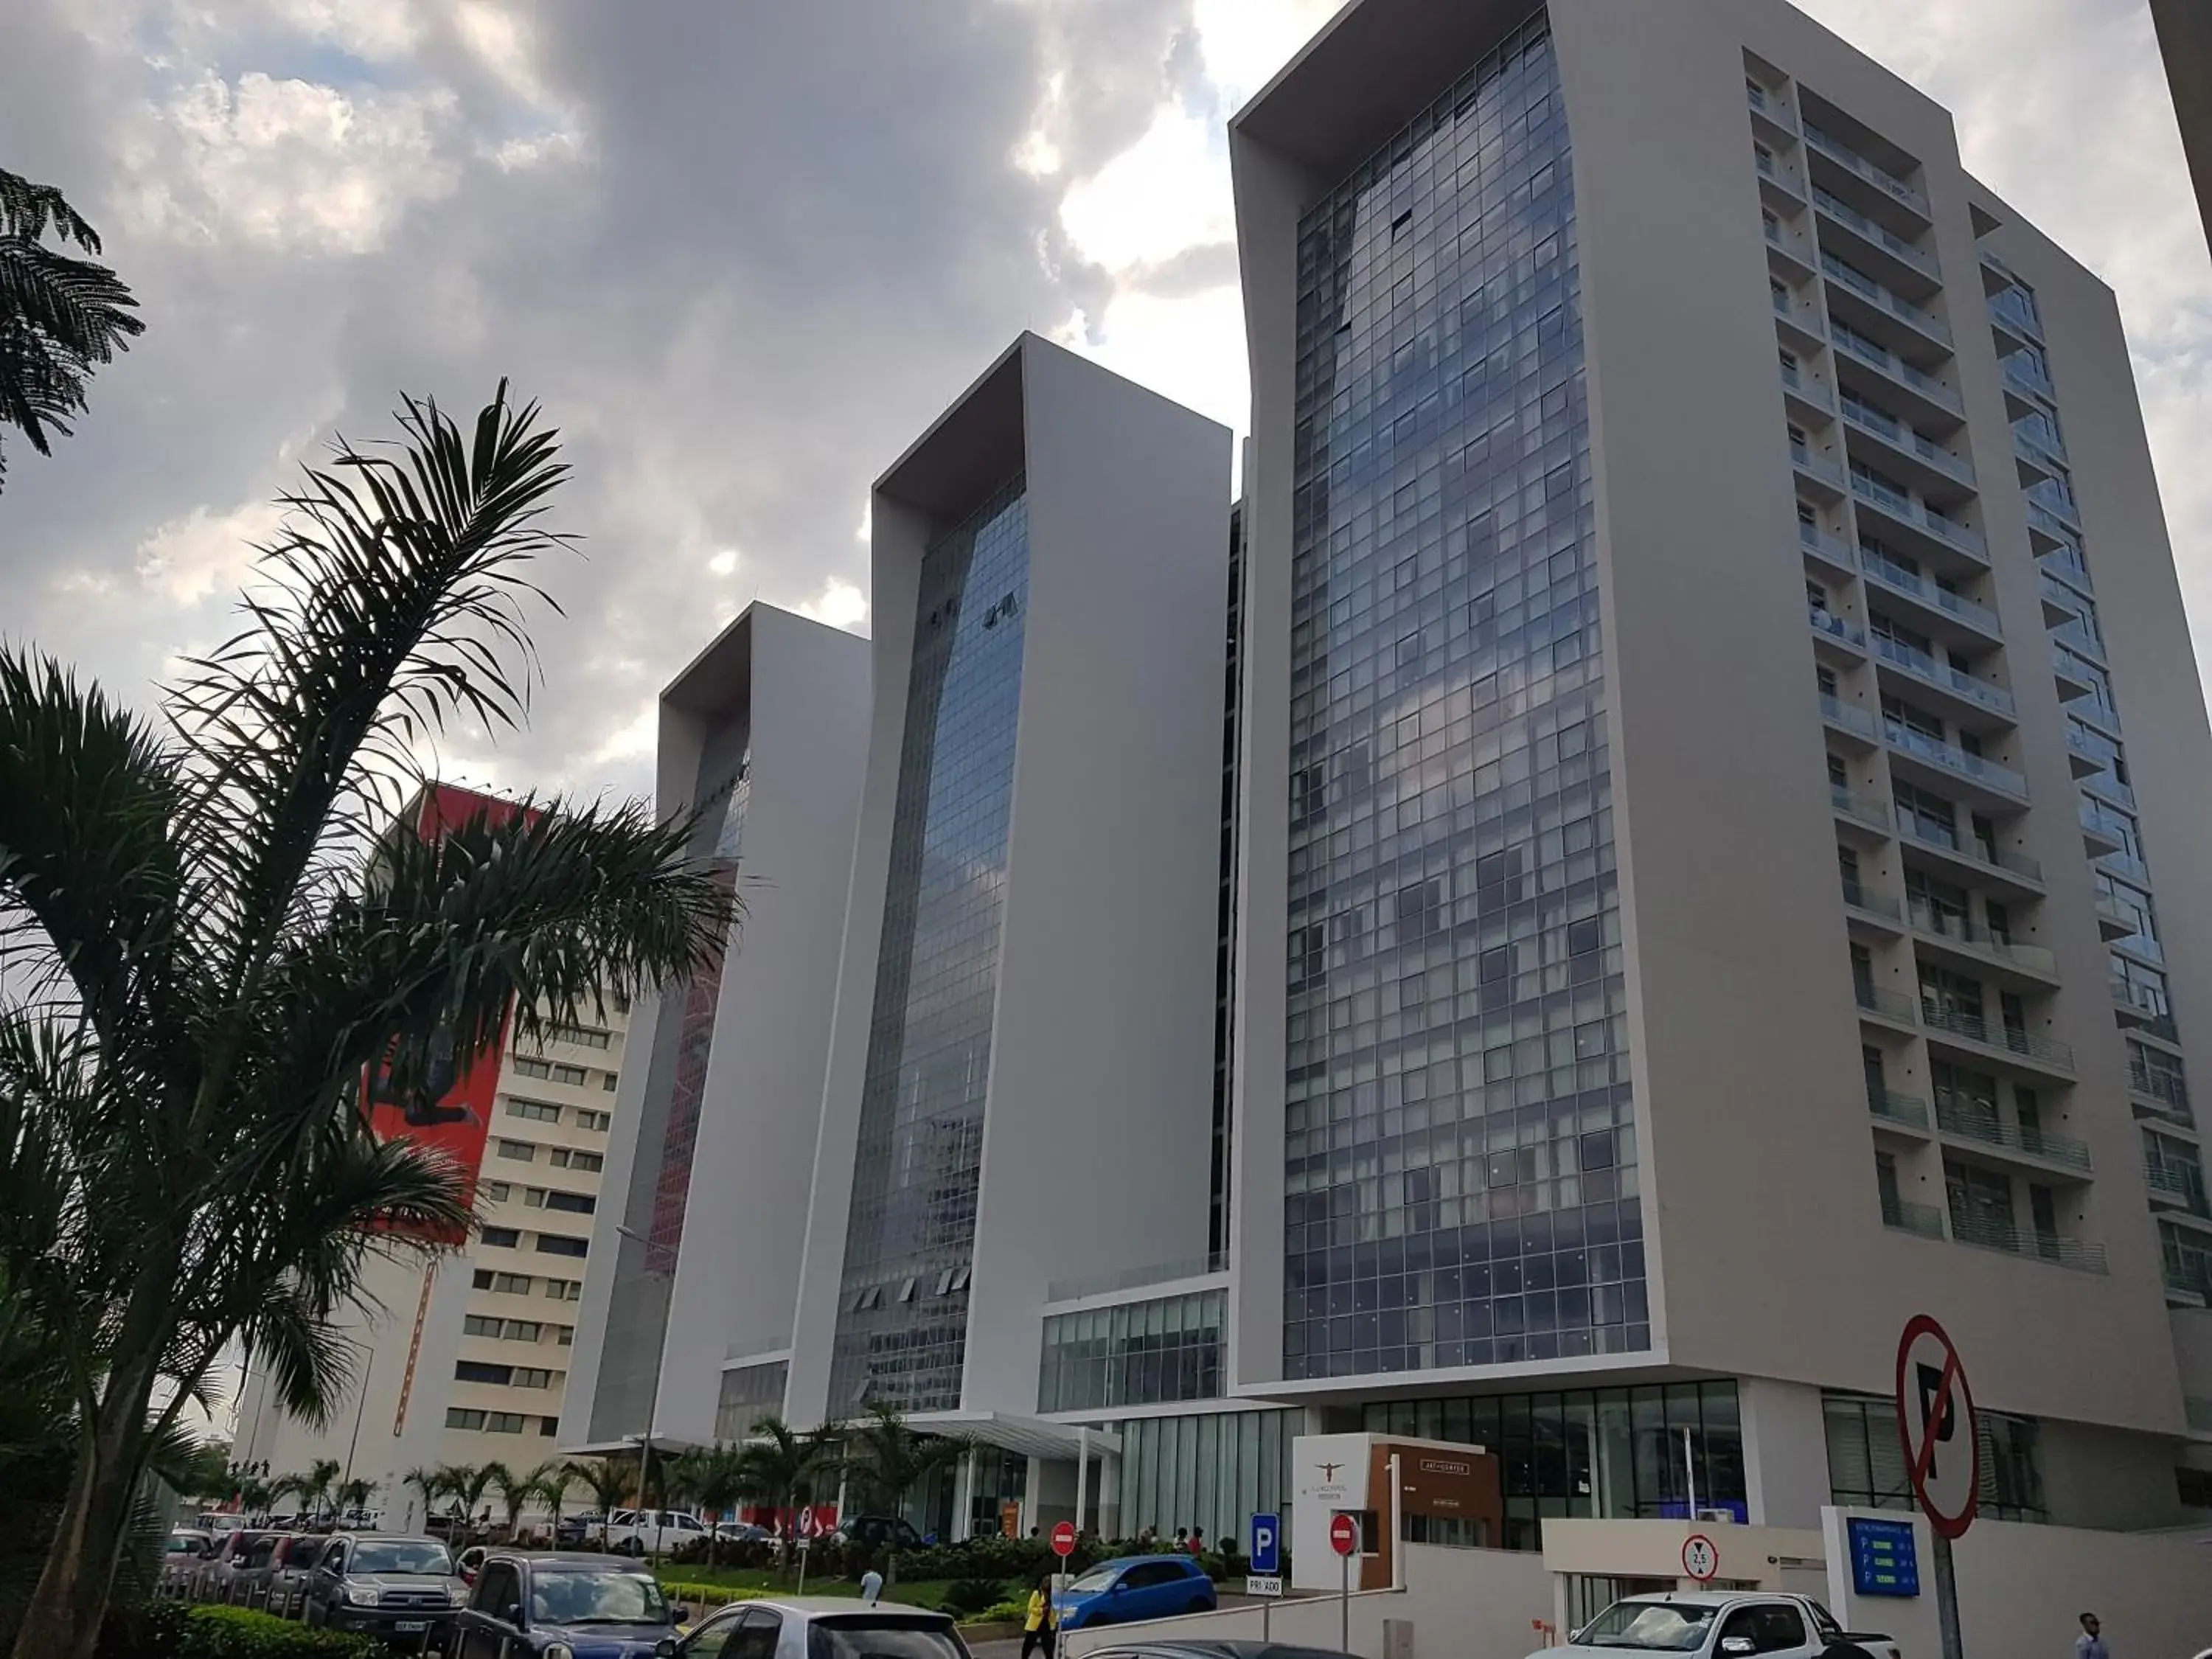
(1134, 1355)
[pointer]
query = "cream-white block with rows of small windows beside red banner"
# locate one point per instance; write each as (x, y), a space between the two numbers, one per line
(466, 1359)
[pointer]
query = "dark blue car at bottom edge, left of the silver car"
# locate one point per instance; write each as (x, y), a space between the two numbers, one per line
(565, 1605)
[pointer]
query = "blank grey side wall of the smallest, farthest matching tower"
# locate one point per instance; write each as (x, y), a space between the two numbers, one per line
(744, 1227)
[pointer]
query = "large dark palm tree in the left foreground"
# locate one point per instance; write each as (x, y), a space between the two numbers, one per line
(198, 974)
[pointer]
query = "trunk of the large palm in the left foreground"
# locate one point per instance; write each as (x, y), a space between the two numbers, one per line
(72, 1598)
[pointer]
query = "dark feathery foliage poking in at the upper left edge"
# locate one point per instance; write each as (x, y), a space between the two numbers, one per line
(59, 317)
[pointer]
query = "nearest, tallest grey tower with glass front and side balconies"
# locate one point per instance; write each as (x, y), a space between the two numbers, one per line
(1722, 782)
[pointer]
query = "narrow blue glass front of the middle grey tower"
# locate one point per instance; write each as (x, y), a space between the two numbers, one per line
(901, 1331)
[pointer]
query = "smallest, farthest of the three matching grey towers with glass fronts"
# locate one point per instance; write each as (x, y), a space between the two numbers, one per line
(764, 735)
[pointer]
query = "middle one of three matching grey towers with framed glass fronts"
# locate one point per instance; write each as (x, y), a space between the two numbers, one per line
(1021, 1063)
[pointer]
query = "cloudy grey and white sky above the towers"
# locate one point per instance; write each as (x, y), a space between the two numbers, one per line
(744, 251)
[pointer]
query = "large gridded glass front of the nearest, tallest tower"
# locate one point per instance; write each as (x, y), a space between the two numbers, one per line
(1461, 1169)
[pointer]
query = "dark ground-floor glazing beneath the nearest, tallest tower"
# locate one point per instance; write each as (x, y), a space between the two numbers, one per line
(1594, 1452)
